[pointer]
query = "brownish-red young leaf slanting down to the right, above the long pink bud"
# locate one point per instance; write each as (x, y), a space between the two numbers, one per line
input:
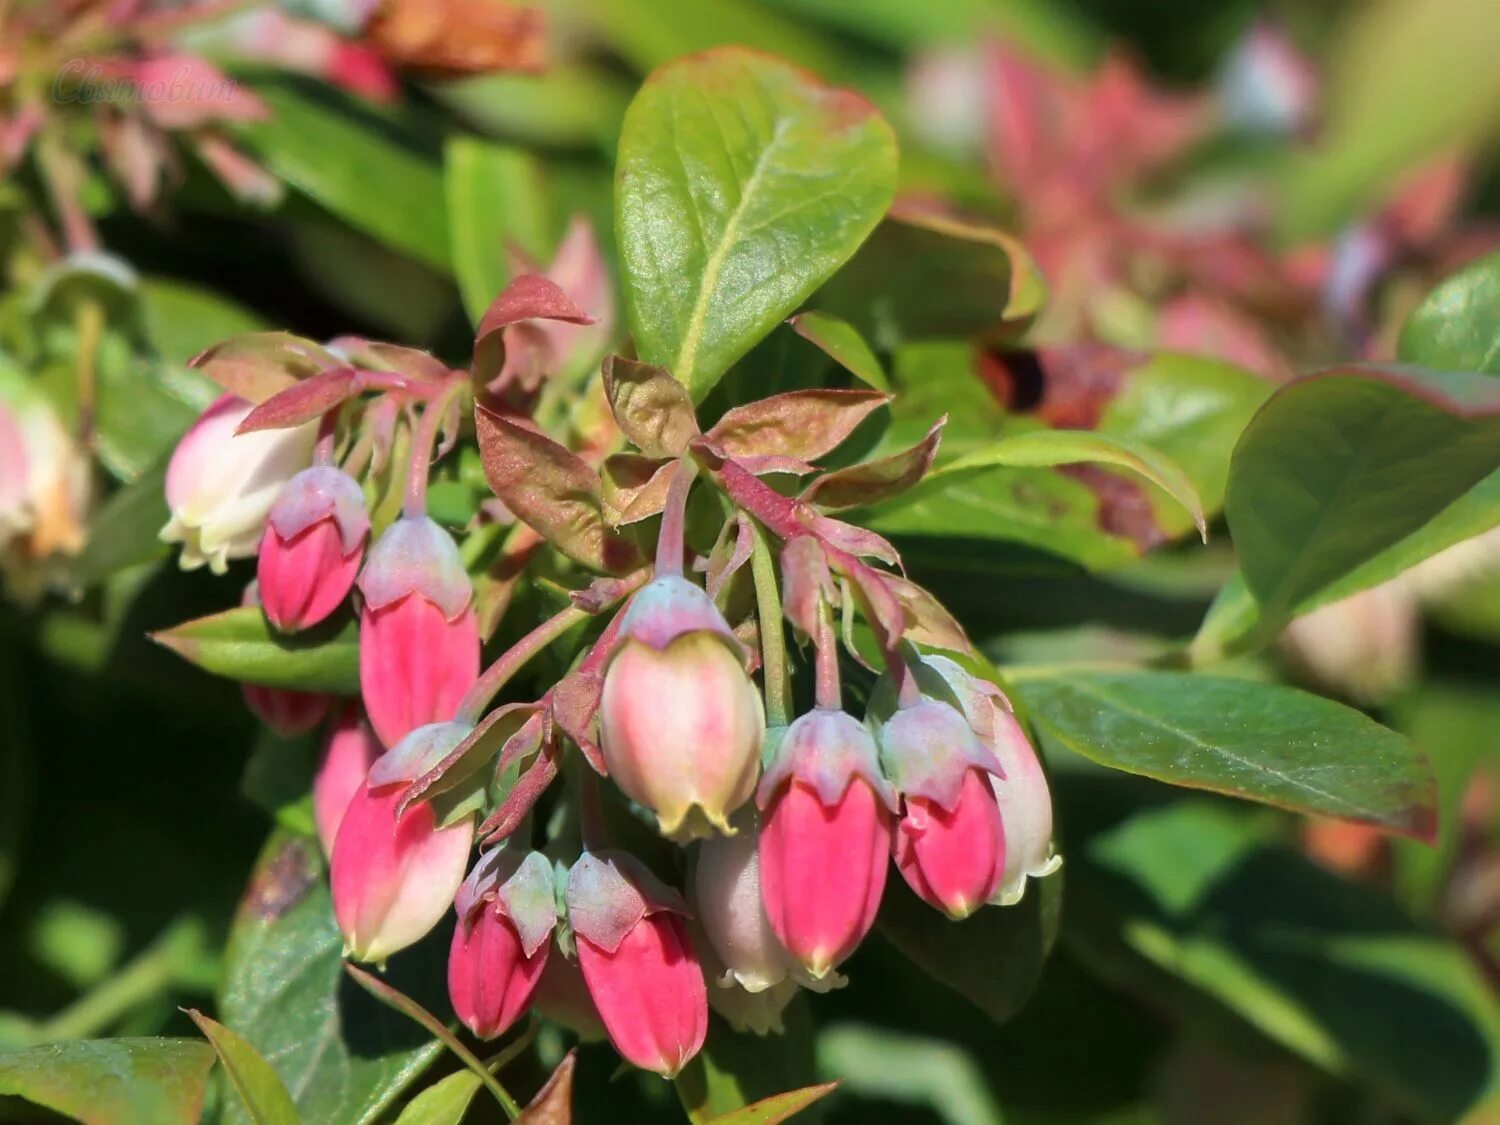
(551, 490)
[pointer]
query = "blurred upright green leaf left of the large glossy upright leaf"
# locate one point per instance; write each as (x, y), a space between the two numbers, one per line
(497, 205)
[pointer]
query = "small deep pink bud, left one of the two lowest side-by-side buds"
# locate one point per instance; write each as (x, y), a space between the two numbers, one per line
(500, 947)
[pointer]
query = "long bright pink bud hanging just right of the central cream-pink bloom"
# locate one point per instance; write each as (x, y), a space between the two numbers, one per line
(826, 839)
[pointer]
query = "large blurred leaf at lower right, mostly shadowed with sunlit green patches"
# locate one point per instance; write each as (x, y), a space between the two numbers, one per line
(1327, 968)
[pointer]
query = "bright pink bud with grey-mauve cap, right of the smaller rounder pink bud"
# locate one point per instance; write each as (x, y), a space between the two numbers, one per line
(419, 637)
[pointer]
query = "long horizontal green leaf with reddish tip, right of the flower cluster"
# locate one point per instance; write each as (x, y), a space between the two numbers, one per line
(1238, 737)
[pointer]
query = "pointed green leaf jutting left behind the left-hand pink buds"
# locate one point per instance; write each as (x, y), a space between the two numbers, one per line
(242, 646)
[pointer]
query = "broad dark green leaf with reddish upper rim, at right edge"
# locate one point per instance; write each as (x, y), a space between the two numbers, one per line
(1343, 464)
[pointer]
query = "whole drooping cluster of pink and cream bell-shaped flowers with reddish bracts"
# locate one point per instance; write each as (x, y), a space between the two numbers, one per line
(772, 835)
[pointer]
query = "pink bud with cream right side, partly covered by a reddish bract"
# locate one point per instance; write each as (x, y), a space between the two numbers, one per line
(395, 872)
